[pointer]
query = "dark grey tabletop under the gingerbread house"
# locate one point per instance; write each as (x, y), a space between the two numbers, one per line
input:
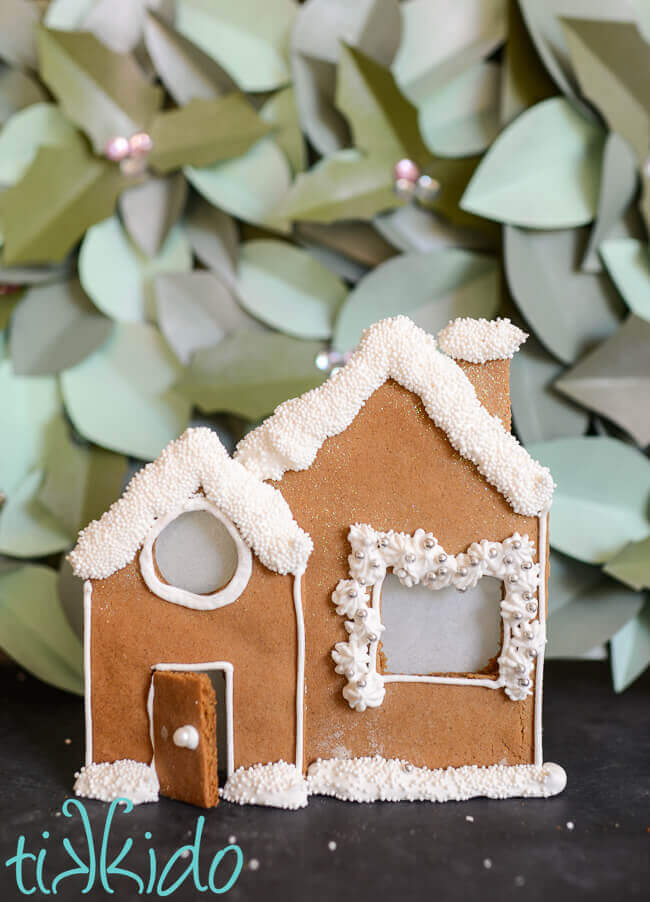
(514, 849)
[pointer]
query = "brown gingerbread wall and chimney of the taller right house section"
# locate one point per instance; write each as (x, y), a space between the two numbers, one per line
(392, 468)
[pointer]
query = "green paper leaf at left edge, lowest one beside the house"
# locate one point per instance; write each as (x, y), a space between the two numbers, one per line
(34, 631)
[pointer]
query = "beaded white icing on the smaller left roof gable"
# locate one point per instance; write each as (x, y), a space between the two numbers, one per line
(196, 460)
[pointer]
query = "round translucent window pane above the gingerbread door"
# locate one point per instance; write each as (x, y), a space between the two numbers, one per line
(196, 553)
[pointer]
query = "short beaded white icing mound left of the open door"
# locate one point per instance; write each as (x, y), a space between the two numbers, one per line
(123, 779)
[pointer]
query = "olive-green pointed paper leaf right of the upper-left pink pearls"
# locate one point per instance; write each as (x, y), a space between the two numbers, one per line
(204, 132)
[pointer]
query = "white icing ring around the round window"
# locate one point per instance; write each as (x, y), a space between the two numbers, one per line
(209, 602)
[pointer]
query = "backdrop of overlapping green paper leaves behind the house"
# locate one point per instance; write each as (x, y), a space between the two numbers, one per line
(198, 218)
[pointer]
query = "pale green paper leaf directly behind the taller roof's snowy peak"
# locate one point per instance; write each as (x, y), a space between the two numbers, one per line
(430, 288)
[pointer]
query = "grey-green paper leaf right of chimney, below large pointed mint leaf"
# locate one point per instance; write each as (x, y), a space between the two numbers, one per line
(570, 311)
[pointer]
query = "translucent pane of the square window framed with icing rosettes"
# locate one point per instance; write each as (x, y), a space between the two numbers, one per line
(441, 631)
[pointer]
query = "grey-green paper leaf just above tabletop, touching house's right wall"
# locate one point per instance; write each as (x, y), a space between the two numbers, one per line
(588, 621)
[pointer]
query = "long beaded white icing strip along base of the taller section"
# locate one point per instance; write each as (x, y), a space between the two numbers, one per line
(393, 780)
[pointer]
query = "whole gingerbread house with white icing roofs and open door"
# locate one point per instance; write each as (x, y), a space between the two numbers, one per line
(353, 604)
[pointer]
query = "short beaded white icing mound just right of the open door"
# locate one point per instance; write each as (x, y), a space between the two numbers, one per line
(278, 785)
